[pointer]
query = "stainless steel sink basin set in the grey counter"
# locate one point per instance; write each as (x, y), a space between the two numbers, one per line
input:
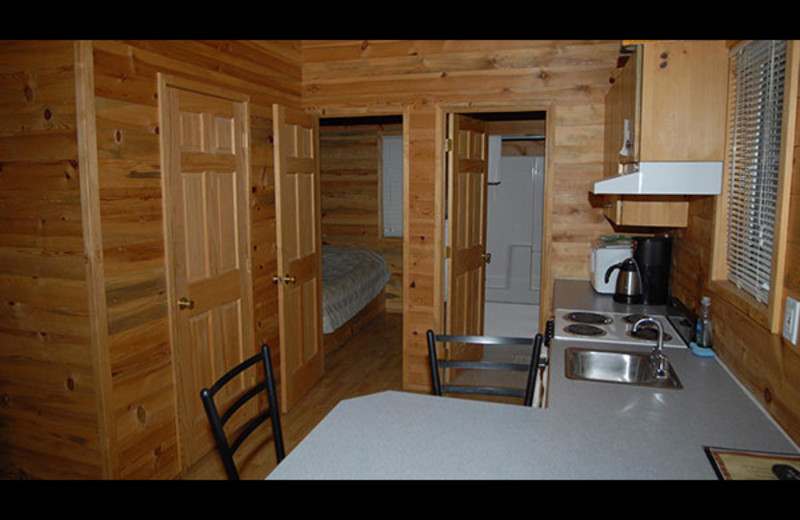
(611, 366)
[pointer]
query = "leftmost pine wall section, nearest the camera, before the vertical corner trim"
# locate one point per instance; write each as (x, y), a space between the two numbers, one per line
(48, 397)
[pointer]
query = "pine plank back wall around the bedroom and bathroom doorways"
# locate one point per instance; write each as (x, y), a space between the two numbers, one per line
(422, 78)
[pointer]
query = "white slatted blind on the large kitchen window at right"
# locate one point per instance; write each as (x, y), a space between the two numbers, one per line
(758, 72)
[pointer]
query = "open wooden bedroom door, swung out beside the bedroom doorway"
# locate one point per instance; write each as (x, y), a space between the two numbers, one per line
(297, 199)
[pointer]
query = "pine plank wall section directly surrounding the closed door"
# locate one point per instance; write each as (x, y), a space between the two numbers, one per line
(133, 242)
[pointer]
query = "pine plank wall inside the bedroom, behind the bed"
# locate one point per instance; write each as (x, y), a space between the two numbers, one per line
(351, 190)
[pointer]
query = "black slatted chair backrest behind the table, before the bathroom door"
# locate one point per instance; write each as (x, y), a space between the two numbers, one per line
(531, 368)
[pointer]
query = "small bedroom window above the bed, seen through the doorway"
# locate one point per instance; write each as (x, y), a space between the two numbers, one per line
(392, 185)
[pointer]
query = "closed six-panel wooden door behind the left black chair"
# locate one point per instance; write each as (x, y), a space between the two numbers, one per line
(206, 200)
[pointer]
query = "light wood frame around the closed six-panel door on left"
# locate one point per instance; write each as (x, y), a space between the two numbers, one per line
(164, 82)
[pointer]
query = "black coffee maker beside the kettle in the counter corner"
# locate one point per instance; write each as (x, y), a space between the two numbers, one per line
(653, 255)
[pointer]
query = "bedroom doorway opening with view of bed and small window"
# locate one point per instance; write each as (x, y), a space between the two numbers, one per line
(362, 214)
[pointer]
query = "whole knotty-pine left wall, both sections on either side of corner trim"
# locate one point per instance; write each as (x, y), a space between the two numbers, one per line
(51, 382)
